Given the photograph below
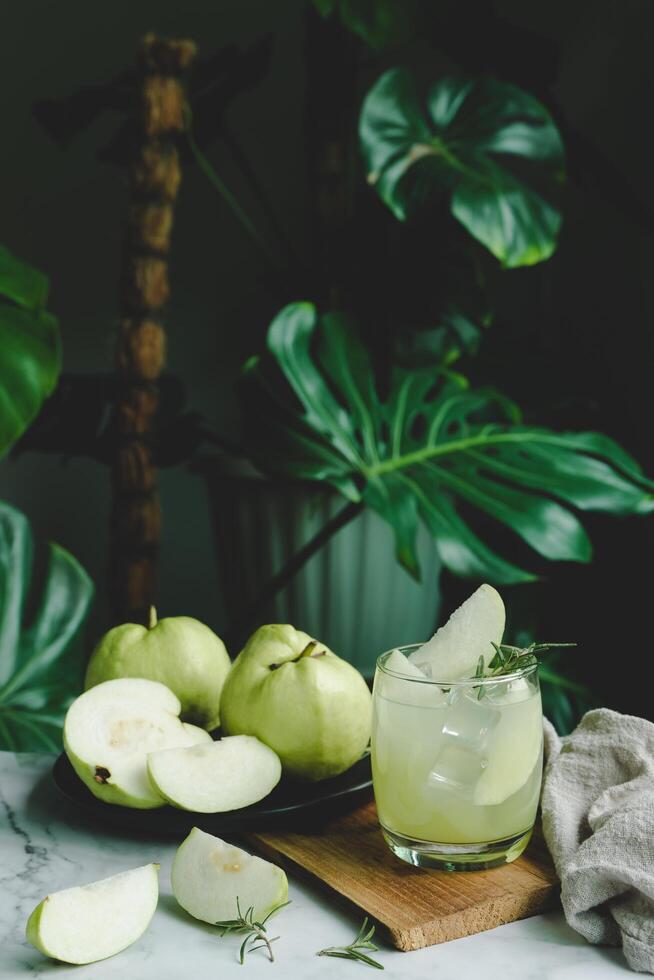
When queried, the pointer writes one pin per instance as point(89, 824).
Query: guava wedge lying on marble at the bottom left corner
point(92, 922)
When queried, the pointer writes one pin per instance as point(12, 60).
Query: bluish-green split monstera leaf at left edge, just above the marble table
point(40, 663)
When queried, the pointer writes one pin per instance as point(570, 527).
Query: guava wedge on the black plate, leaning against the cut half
point(211, 778)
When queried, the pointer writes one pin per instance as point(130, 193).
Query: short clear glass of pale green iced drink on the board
point(456, 765)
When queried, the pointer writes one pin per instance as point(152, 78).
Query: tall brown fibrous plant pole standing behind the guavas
point(155, 176)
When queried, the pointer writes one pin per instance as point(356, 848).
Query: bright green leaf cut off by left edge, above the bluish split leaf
point(29, 347)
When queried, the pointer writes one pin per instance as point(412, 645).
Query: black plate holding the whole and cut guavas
point(290, 804)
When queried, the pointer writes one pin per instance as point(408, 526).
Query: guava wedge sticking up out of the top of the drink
point(454, 651)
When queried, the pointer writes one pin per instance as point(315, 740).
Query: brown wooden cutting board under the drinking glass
point(414, 907)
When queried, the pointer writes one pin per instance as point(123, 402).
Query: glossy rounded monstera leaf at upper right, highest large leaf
point(490, 147)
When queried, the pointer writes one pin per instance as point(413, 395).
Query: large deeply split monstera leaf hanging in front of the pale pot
point(430, 445)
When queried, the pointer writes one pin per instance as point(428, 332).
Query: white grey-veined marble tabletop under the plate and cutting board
point(45, 846)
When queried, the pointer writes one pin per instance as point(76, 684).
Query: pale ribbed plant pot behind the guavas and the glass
point(352, 594)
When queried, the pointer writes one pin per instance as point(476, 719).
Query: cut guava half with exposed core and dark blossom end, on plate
point(109, 731)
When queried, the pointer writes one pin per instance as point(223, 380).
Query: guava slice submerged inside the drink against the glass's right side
point(513, 751)
